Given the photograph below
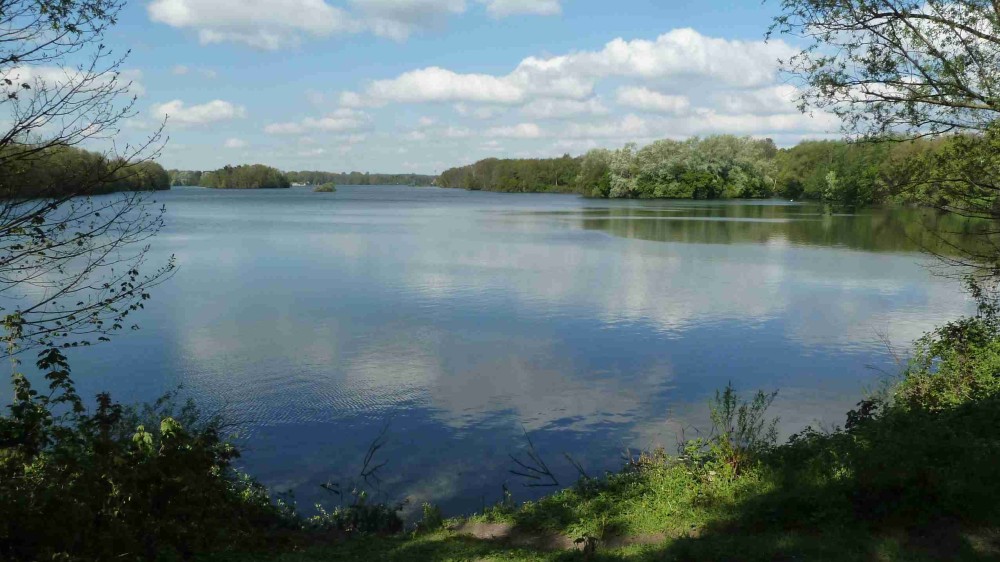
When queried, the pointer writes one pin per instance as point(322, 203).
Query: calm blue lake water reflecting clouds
point(460, 317)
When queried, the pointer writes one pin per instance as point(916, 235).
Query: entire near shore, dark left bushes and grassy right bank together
point(912, 474)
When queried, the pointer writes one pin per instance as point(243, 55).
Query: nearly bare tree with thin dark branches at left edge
point(69, 260)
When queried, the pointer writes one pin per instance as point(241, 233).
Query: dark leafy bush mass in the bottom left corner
point(151, 484)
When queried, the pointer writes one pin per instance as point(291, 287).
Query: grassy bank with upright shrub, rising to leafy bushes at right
point(912, 474)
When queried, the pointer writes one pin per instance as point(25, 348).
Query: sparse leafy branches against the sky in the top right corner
point(891, 67)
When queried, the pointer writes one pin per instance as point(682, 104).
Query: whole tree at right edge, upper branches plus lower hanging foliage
point(906, 69)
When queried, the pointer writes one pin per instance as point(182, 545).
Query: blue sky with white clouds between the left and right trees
point(423, 85)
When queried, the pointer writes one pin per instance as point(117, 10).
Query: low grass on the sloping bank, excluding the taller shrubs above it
point(823, 496)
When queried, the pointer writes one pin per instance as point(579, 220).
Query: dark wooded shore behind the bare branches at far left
point(58, 171)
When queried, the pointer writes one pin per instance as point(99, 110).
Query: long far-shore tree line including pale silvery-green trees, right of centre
point(720, 167)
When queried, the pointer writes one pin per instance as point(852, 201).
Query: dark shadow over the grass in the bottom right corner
point(900, 485)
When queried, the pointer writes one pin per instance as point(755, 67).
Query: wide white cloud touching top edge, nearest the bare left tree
point(266, 24)
